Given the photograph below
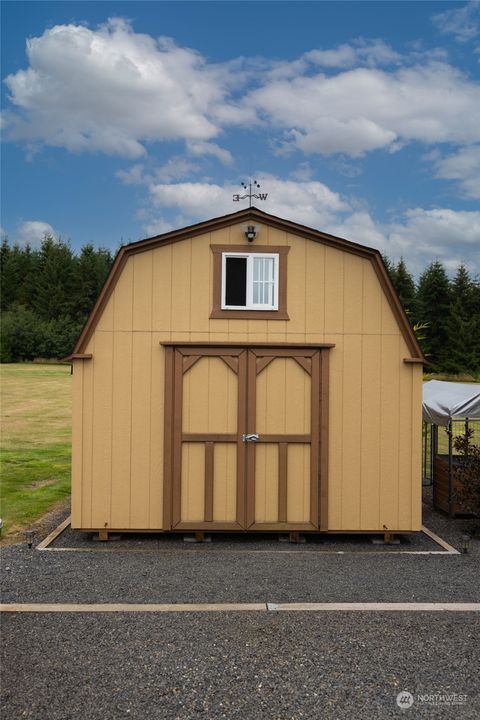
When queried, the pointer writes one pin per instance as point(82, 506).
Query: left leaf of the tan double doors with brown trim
point(208, 454)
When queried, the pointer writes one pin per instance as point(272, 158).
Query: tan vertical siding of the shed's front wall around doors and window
point(165, 294)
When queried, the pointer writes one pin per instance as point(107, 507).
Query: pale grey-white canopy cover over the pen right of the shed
point(444, 401)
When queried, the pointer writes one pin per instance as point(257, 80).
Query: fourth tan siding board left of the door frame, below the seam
point(102, 430)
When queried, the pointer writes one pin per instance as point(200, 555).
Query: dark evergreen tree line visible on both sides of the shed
point(48, 293)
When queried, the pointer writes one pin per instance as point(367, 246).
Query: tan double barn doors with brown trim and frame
point(243, 431)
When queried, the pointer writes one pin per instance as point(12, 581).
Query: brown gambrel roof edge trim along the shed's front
point(249, 214)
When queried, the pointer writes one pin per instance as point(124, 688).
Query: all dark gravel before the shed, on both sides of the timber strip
point(239, 665)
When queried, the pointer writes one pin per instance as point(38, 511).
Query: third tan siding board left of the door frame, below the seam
point(121, 429)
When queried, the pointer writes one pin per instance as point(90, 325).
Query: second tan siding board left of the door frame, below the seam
point(141, 413)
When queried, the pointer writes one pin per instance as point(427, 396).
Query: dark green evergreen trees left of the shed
point(46, 296)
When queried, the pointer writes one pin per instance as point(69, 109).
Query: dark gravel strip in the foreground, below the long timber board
point(237, 666)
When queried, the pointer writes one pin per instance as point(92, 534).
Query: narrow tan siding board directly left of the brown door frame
point(157, 384)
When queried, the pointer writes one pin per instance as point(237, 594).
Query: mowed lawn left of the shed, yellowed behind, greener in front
point(35, 440)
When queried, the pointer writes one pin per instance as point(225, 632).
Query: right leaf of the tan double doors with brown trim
point(283, 409)
